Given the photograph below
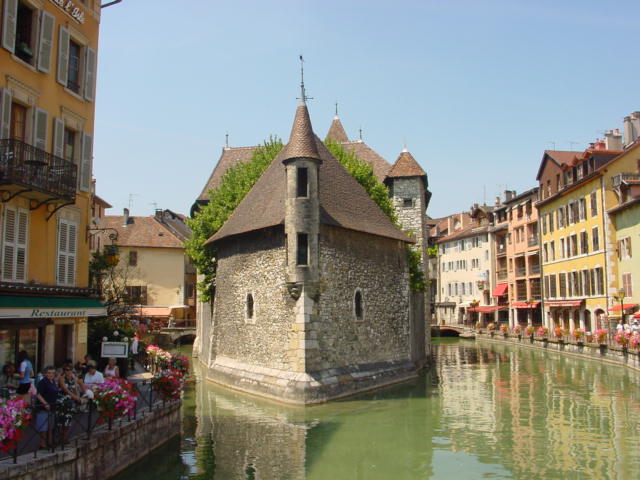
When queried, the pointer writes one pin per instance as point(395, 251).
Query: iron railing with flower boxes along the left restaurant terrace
point(84, 422)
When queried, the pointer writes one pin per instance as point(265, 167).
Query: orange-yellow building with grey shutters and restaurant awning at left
point(48, 52)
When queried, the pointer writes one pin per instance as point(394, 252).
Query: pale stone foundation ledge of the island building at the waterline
point(308, 388)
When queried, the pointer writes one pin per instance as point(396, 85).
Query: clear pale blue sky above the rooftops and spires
point(476, 90)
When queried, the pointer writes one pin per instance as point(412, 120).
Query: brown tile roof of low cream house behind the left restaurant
point(141, 232)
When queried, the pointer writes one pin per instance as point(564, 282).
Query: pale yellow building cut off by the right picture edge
point(622, 202)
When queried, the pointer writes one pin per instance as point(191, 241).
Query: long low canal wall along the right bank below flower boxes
point(604, 353)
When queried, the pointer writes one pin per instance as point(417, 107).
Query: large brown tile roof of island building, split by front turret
point(343, 202)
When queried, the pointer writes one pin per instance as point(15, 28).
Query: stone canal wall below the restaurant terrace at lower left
point(105, 454)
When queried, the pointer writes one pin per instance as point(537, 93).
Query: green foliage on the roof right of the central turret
point(363, 173)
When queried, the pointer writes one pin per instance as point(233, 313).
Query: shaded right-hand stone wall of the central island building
point(377, 266)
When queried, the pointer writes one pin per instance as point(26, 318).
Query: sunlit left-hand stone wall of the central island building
point(255, 264)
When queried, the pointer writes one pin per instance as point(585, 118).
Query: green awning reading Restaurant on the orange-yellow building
point(50, 307)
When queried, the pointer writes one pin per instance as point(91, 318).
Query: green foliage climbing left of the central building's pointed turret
point(235, 184)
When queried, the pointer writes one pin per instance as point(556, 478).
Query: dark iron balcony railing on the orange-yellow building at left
point(30, 167)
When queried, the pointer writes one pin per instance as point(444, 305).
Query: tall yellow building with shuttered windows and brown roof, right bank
point(573, 226)
